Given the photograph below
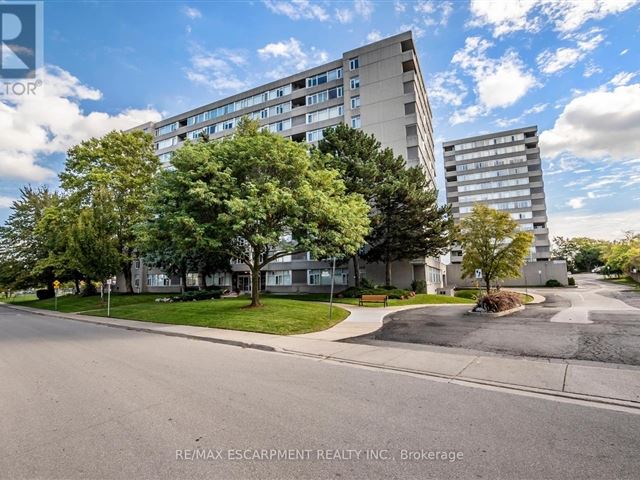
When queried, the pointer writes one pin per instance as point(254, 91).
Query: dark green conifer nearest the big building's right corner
point(407, 222)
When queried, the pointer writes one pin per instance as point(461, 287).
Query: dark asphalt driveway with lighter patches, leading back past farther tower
point(598, 321)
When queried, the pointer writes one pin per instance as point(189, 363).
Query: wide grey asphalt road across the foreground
point(86, 401)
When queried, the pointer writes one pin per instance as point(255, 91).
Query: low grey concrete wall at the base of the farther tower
point(533, 274)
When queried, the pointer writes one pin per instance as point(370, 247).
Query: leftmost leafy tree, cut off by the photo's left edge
point(22, 244)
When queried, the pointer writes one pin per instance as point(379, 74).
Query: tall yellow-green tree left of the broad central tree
point(121, 167)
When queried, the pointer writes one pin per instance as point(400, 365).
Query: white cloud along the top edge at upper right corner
point(506, 16)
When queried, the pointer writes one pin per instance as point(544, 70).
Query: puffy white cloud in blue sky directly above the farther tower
point(499, 83)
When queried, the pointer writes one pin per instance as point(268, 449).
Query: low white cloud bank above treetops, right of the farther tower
point(607, 225)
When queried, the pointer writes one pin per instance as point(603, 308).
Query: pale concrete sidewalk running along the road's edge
point(603, 383)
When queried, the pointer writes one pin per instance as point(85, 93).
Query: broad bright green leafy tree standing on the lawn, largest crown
point(258, 197)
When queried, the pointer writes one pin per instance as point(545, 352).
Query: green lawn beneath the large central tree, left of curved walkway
point(279, 315)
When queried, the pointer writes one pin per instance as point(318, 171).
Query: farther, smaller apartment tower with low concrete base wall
point(504, 171)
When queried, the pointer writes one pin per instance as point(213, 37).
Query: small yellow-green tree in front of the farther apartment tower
point(492, 242)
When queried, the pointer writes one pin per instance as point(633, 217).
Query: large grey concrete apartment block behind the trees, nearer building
point(378, 88)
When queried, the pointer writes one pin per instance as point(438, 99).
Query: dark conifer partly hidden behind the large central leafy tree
point(355, 155)
